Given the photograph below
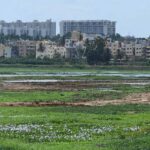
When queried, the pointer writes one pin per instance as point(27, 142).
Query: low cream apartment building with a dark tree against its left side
point(48, 49)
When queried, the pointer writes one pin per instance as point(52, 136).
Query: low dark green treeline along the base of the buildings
point(62, 61)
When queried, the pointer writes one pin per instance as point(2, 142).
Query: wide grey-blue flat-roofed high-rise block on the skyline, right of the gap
point(100, 27)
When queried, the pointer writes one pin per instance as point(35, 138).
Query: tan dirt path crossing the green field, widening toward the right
point(143, 98)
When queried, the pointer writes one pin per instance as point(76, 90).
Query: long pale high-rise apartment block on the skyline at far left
point(33, 29)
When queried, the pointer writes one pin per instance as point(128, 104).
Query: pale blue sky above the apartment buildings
point(132, 16)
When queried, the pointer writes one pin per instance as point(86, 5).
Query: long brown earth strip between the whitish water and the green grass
point(66, 85)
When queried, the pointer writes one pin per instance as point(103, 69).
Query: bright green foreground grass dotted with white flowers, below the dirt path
point(68, 121)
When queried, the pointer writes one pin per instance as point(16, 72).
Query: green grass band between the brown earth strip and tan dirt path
point(119, 92)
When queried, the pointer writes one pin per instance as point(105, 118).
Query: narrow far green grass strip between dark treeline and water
point(10, 69)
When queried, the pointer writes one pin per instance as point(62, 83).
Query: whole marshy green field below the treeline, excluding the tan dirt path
point(110, 127)
